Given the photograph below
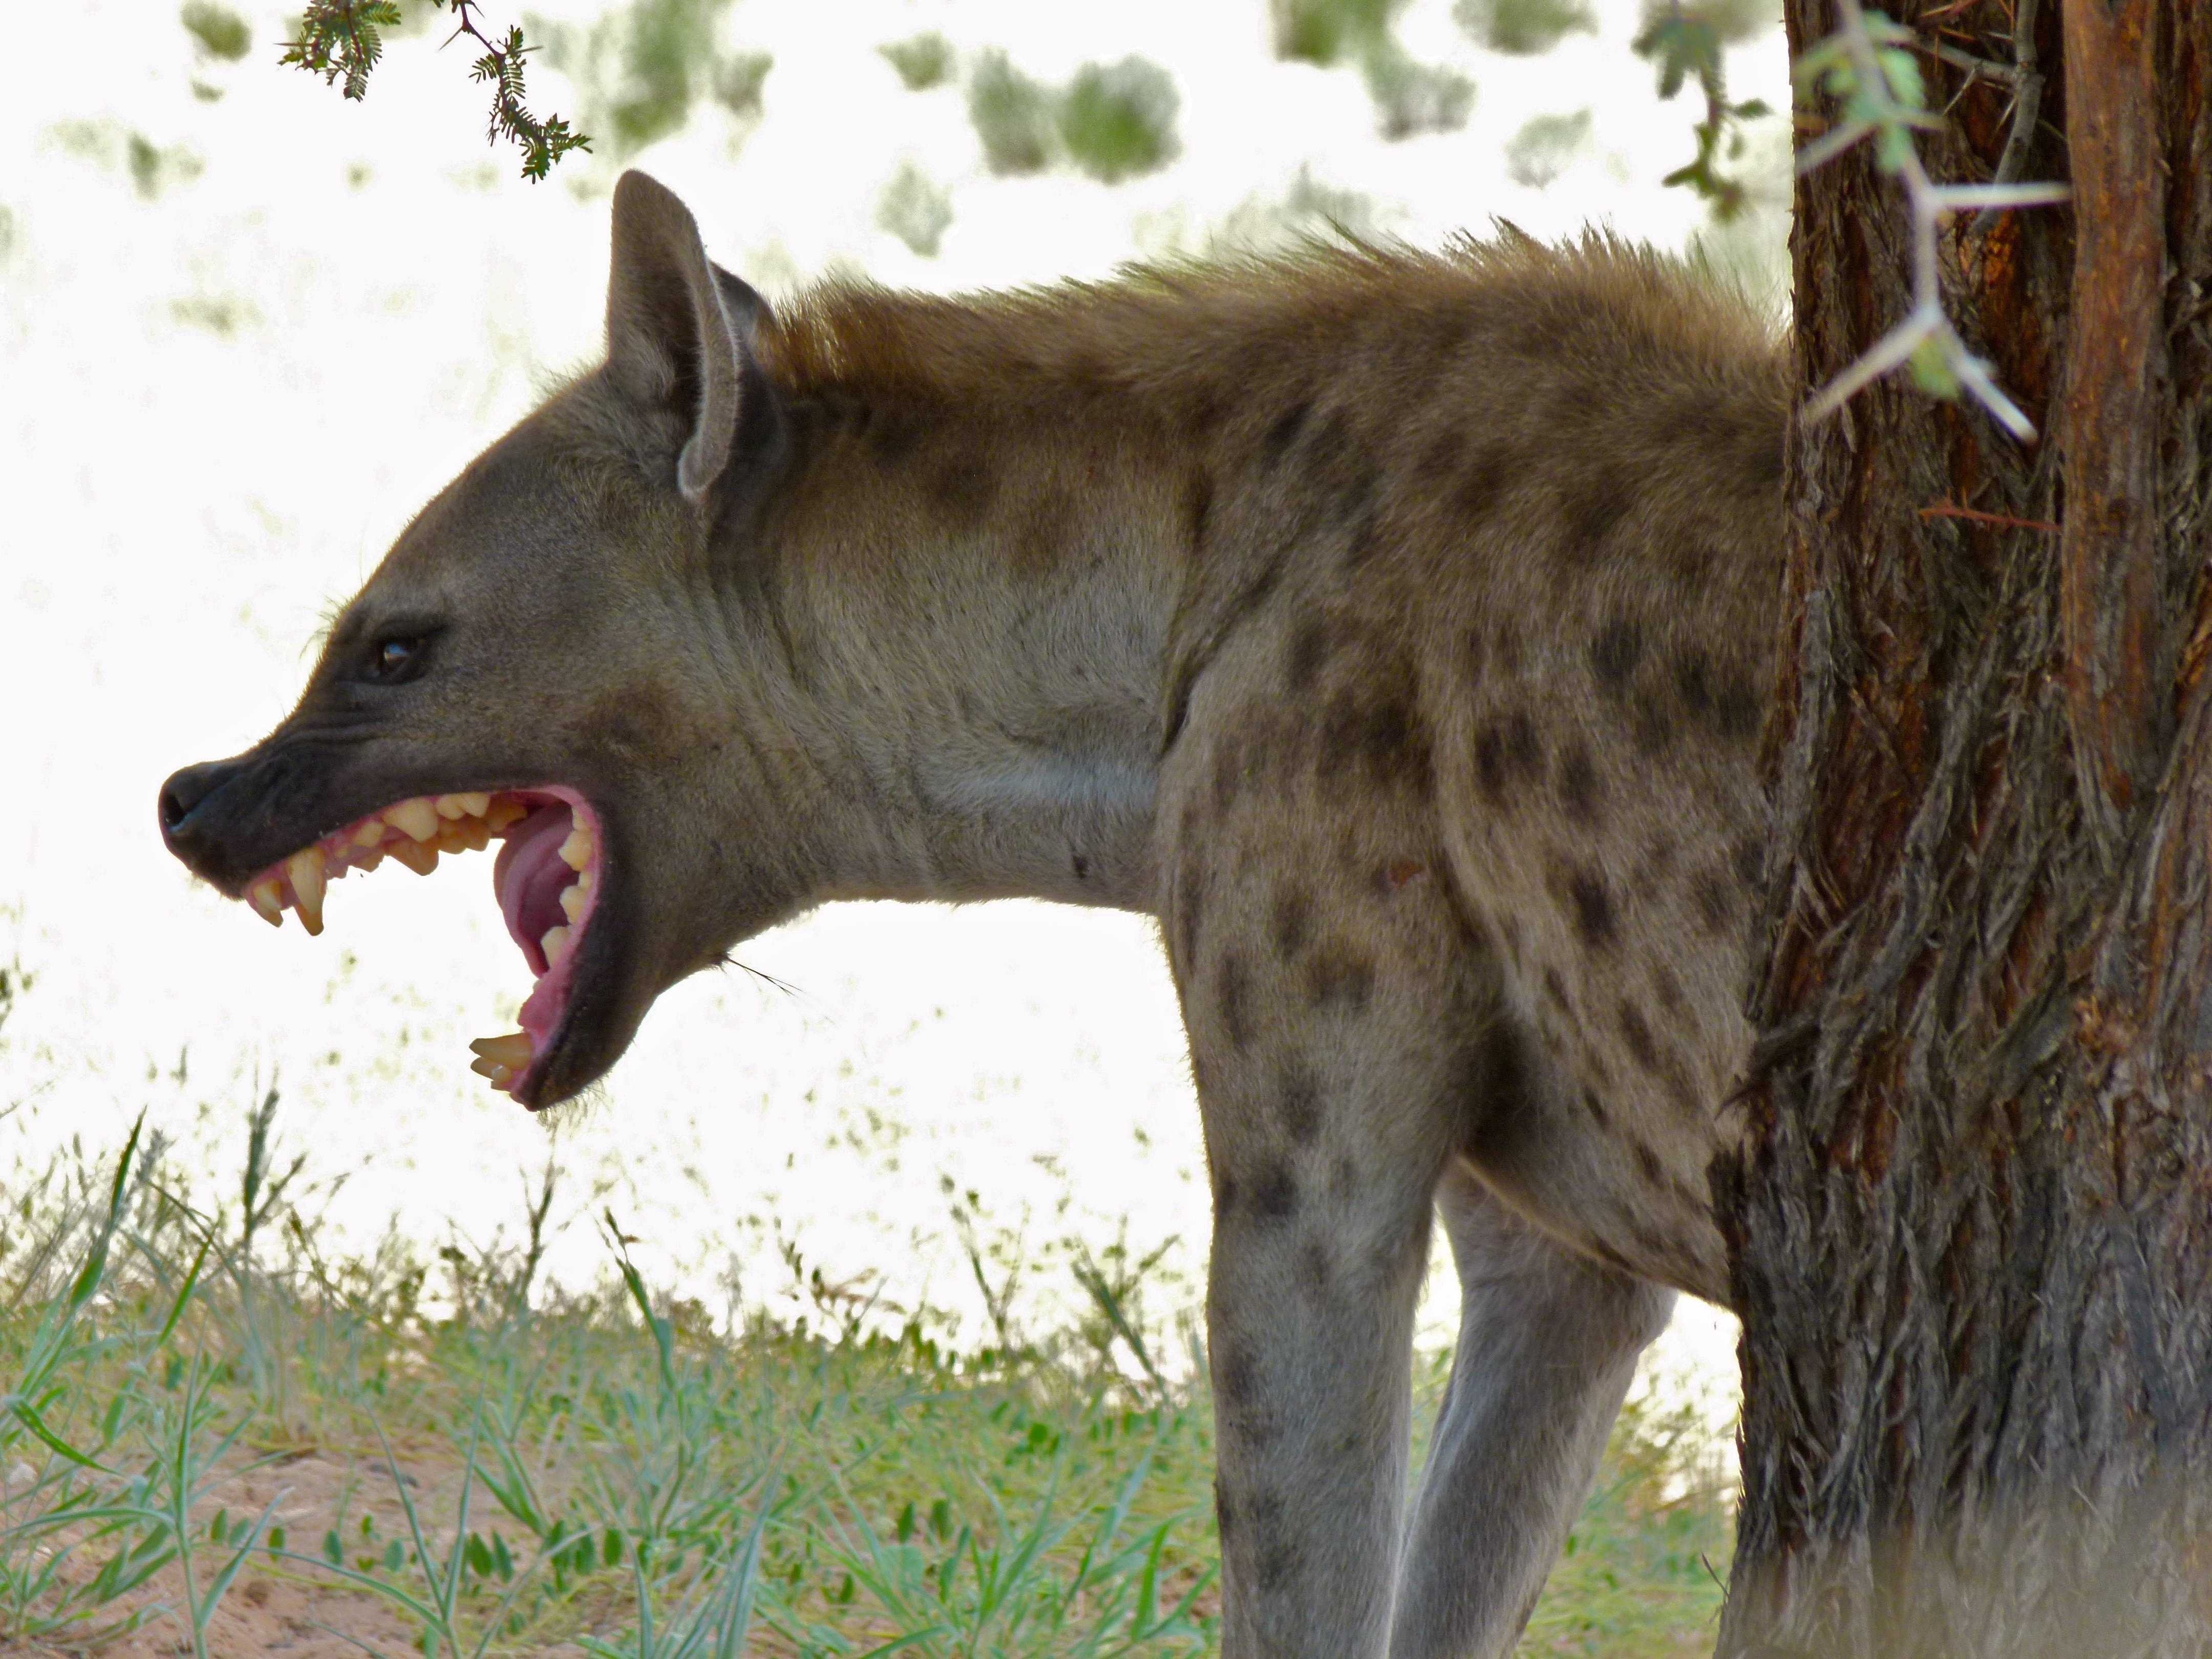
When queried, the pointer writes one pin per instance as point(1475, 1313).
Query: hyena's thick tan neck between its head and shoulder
point(974, 614)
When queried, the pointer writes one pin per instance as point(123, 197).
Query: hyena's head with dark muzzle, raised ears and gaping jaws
point(543, 658)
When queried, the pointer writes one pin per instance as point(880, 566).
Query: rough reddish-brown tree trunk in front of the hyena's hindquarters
point(1972, 1231)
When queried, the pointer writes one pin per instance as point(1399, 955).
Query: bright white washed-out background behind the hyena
point(182, 505)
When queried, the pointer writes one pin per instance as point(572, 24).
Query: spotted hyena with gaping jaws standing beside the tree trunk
point(1392, 627)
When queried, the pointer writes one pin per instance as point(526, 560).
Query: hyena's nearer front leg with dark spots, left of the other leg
point(1333, 1005)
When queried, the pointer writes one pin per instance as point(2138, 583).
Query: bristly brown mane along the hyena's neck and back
point(1200, 328)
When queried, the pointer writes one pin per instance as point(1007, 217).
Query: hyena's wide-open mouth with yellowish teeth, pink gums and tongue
point(547, 879)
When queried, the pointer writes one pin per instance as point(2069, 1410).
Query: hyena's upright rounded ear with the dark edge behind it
point(671, 340)
